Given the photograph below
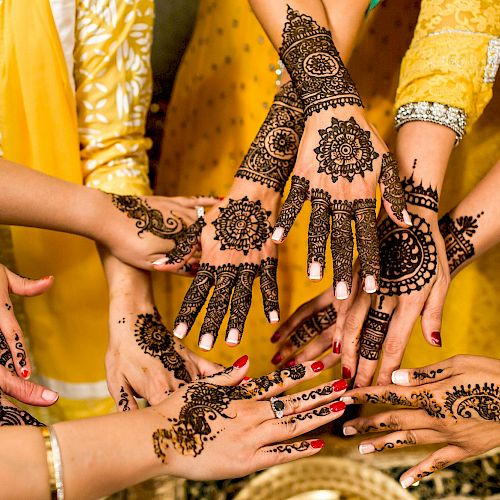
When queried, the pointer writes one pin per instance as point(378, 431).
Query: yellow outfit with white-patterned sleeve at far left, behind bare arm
point(92, 134)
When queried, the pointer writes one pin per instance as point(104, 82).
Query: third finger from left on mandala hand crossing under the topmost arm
point(241, 302)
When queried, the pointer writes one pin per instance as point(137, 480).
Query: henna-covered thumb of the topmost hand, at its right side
point(392, 192)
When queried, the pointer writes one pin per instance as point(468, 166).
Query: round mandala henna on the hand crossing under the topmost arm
point(242, 225)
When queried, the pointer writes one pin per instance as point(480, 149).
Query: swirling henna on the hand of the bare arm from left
point(148, 219)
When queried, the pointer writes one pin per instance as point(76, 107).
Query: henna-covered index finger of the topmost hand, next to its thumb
point(367, 243)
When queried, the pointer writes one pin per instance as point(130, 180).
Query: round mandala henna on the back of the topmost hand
point(345, 150)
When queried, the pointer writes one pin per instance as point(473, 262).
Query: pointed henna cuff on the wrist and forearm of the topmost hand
point(315, 66)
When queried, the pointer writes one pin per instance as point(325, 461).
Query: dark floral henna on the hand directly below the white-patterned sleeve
point(155, 340)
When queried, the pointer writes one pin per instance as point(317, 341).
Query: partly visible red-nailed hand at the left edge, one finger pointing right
point(12, 344)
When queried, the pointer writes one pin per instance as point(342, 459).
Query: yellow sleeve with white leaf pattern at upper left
point(113, 92)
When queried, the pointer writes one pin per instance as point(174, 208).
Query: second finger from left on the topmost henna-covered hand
point(319, 230)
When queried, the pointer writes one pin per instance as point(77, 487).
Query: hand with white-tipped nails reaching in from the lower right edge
point(455, 402)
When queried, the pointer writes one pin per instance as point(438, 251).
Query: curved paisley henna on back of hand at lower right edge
point(474, 401)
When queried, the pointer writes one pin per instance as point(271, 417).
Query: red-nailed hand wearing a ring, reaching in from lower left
point(215, 428)
